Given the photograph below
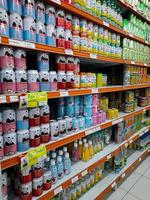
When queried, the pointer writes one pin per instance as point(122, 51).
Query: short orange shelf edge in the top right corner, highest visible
point(130, 8)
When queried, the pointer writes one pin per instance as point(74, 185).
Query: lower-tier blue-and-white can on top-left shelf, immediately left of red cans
point(50, 35)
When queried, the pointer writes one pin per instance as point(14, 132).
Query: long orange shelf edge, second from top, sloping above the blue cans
point(81, 13)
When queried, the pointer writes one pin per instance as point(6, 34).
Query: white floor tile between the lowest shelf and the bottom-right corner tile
point(130, 181)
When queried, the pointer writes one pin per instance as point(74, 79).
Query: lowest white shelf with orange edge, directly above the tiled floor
point(101, 189)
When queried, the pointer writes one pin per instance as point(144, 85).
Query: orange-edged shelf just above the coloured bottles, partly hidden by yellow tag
point(15, 159)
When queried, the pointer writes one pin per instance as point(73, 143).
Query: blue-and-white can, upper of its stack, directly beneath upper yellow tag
point(22, 119)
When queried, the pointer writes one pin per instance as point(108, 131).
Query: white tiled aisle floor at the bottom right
point(136, 186)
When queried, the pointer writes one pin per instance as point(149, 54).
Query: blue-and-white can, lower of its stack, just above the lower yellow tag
point(23, 143)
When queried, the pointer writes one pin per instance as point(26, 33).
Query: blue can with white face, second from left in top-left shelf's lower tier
point(16, 26)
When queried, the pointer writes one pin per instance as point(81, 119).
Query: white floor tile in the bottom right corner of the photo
point(141, 189)
